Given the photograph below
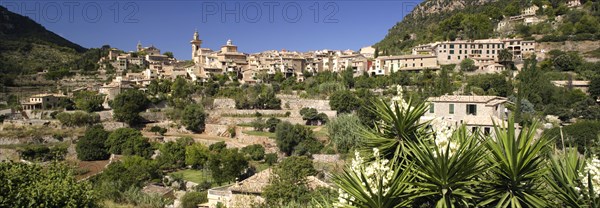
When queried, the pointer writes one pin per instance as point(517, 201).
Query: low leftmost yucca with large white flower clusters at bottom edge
point(376, 184)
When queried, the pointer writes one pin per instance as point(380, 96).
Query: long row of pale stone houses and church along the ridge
point(252, 68)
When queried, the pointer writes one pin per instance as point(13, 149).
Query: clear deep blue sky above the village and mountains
point(254, 26)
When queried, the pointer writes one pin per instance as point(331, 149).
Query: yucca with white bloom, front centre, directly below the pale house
point(447, 171)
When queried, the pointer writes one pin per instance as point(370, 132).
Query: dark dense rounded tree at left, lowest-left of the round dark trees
point(91, 146)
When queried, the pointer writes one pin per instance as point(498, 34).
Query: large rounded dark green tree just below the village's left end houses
point(127, 106)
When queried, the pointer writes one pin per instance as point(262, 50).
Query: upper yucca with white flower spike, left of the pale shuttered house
point(399, 124)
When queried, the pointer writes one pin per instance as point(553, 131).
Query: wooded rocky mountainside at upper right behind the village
point(440, 20)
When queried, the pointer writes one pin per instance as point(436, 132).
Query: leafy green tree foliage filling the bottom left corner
point(51, 185)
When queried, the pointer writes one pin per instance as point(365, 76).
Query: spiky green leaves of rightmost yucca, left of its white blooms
point(563, 178)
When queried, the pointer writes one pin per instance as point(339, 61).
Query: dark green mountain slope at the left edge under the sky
point(27, 47)
